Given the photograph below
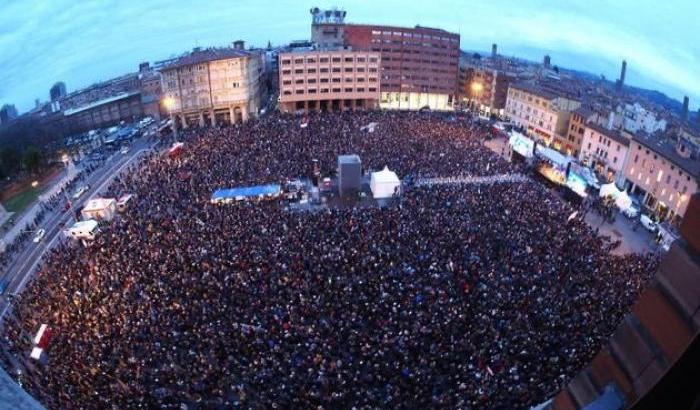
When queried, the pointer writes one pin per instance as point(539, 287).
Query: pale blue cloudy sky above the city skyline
point(86, 41)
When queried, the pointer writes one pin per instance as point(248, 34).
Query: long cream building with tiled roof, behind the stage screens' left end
point(542, 113)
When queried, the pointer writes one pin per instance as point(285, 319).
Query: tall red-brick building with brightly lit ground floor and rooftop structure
point(419, 66)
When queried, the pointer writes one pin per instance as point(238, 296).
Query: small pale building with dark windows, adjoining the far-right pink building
point(606, 151)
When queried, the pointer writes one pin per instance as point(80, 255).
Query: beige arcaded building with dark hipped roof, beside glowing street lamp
point(213, 86)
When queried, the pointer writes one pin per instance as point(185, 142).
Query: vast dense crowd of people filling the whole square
point(454, 296)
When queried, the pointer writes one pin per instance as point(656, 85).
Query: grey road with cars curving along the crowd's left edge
point(20, 271)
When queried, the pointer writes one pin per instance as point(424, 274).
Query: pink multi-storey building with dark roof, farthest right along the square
point(663, 174)
